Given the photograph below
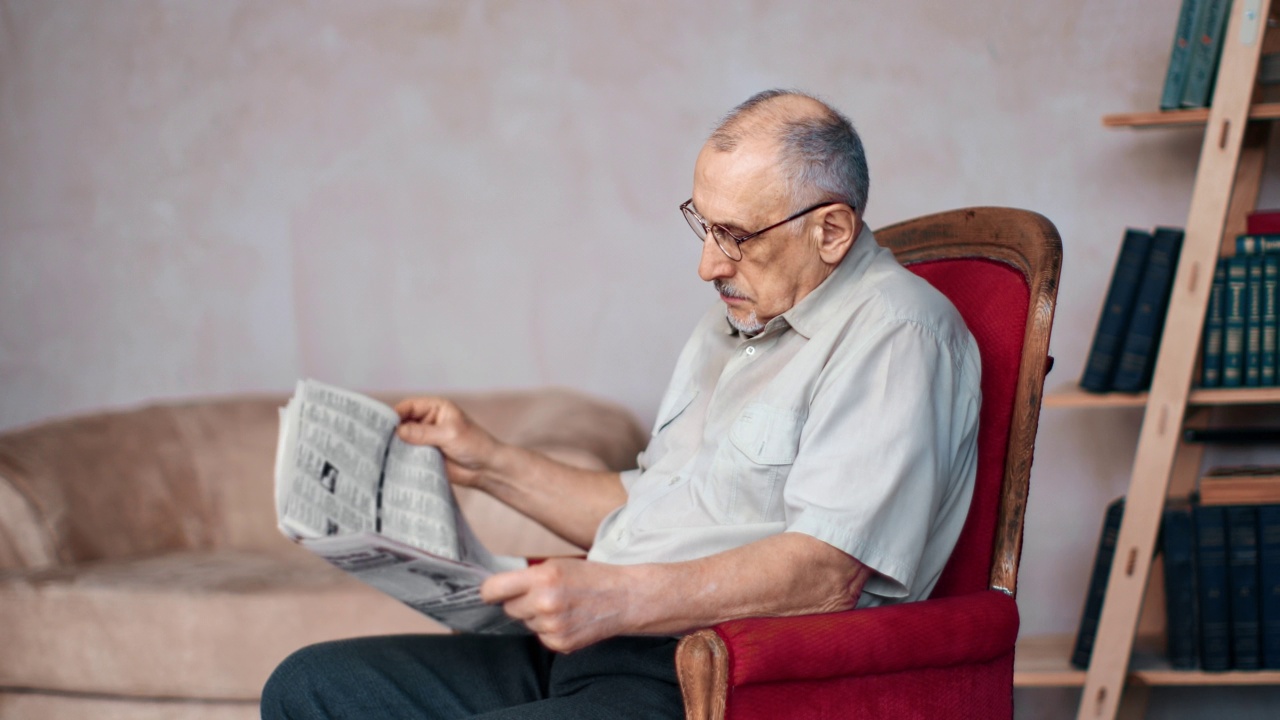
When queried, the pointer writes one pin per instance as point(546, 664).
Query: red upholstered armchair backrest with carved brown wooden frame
point(1000, 268)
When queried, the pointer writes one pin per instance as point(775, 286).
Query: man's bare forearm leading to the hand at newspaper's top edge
point(570, 502)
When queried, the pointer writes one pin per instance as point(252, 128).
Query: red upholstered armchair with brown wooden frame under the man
point(952, 655)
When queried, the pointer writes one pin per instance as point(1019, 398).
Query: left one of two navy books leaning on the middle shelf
point(1117, 311)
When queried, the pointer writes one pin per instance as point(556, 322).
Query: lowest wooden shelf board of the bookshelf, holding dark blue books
point(1041, 662)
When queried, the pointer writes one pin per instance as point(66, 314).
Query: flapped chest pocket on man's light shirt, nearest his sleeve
point(751, 468)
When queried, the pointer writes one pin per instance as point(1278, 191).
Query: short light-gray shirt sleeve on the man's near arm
point(888, 422)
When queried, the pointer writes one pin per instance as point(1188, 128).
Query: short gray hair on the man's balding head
point(821, 154)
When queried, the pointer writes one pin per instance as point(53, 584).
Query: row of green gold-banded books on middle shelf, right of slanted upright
point(1241, 325)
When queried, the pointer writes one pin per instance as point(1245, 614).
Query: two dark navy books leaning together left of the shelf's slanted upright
point(1123, 354)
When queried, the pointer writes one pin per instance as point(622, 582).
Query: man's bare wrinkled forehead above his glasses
point(739, 186)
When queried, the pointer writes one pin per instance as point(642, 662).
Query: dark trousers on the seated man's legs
point(438, 677)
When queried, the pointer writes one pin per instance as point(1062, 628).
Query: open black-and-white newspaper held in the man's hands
point(349, 490)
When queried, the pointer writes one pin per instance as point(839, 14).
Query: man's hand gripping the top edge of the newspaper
point(469, 449)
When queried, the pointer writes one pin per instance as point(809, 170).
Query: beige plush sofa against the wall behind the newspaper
point(141, 573)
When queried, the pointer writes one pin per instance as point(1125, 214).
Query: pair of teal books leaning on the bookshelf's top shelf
point(1194, 60)
